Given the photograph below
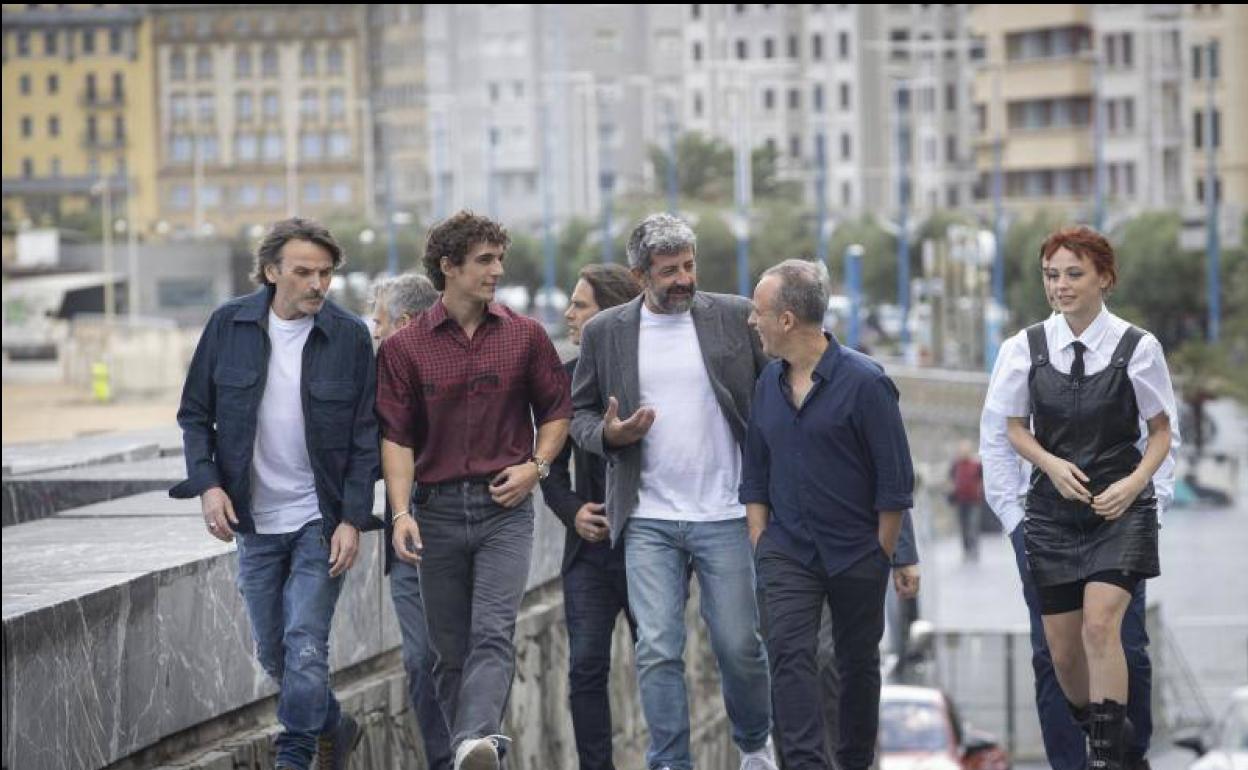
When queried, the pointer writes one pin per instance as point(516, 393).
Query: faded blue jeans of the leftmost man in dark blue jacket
point(285, 582)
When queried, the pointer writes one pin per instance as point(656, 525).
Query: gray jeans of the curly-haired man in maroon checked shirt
point(475, 566)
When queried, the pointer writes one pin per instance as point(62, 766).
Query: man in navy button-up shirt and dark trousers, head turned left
point(827, 480)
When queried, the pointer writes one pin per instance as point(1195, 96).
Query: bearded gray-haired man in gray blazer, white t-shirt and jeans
point(663, 392)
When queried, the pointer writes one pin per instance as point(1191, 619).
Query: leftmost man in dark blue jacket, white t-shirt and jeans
point(283, 450)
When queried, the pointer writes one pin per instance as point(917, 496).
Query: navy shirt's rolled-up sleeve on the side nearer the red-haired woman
point(885, 435)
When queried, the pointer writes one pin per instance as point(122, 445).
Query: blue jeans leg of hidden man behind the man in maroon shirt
point(419, 663)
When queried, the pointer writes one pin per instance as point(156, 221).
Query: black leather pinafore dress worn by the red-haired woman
point(1093, 422)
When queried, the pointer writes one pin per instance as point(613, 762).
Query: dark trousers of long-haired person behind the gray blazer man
point(593, 598)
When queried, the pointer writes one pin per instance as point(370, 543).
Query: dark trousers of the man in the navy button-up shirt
point(796, 596)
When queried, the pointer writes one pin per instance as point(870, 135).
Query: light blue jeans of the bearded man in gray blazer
point(660, 556)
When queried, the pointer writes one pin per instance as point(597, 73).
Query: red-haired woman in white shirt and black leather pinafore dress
point(1090, 405)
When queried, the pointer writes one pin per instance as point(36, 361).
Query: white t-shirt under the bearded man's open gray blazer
point(691, 464)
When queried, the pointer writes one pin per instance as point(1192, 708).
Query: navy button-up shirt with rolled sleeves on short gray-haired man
point(828, 469)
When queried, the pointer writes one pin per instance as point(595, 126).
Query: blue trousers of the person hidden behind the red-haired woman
point(1065, 743)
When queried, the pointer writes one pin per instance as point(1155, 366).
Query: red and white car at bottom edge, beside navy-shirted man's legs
point(920, 731)
